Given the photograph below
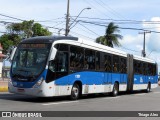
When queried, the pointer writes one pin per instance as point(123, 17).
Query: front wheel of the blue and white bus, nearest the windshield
point(75, 92)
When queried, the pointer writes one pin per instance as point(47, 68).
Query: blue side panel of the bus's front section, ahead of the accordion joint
point(90, 78)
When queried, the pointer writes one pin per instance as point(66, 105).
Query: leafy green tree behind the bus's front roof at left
point(19, 31)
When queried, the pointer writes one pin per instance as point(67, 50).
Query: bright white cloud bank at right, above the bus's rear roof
point(135, 42)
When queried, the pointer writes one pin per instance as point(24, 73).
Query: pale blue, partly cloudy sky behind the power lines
point(132, 16)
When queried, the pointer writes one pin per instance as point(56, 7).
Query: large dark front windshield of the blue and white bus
point(29, 61)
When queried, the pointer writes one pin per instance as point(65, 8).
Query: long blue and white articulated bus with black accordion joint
point(70, 66)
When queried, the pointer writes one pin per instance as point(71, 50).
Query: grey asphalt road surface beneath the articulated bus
point(138, 101)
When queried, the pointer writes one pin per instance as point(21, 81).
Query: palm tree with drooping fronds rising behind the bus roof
point(111, 37)
